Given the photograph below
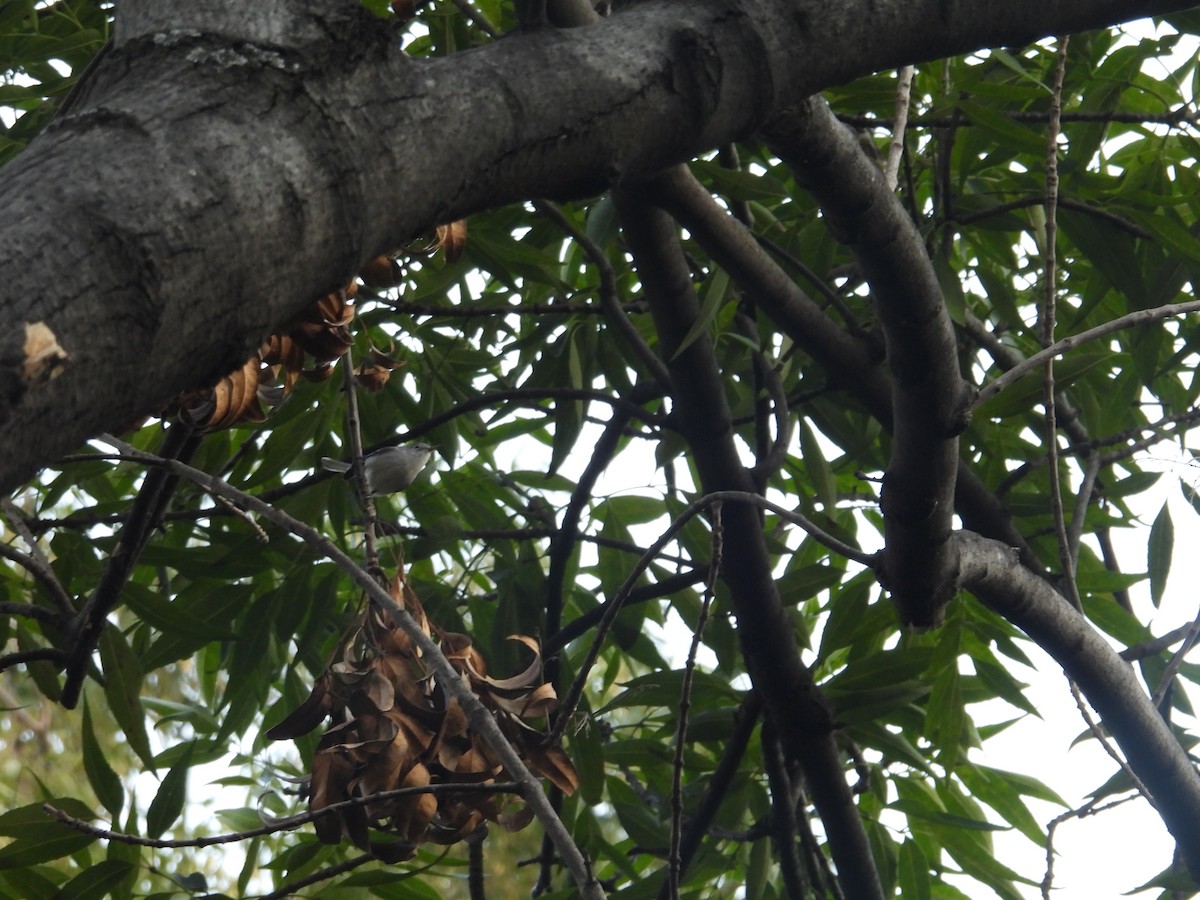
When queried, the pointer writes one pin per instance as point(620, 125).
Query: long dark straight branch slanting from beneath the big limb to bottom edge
point(769, 640)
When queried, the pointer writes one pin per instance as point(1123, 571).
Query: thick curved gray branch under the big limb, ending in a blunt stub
point(929, 398)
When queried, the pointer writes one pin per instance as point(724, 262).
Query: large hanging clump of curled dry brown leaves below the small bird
point(394, 725)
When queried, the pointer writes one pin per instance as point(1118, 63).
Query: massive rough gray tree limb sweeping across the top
point(225, 169)
